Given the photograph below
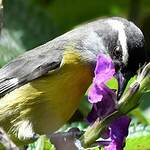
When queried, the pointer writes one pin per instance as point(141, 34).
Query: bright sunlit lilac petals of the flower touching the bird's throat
point(104, 71)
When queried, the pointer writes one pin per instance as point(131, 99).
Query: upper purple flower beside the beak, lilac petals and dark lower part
point(103, 99)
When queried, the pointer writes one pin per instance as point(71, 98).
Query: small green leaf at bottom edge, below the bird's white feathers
point(41, 144)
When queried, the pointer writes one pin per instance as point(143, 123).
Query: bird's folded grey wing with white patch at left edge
point(29, 66)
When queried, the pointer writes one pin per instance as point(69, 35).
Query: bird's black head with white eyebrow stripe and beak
point(124, 42)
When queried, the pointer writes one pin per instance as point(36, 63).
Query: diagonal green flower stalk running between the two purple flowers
point(129, 100)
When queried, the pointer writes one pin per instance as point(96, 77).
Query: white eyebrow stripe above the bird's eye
point(119, 26)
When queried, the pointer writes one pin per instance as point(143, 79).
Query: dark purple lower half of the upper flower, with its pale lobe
point(102, 106)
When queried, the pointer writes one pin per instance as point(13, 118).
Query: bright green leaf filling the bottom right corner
point(139, 138)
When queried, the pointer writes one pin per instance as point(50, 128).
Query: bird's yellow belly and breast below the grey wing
point(47, 102)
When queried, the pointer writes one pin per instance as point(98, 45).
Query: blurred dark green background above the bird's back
point(30, 23)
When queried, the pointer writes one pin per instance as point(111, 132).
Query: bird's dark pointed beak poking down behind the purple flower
point(122, 82)
